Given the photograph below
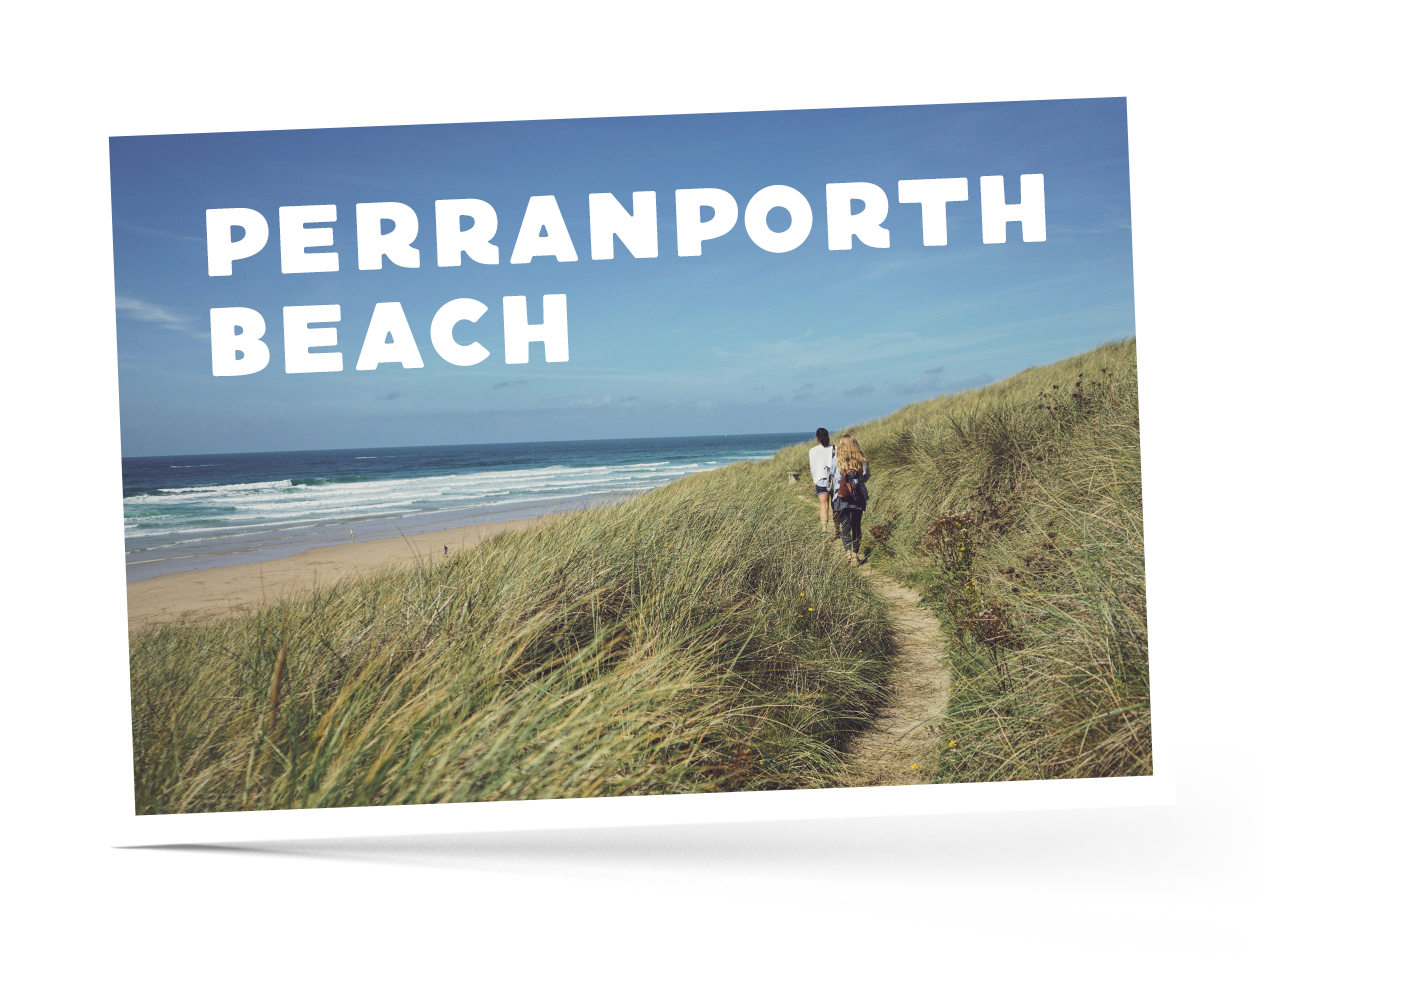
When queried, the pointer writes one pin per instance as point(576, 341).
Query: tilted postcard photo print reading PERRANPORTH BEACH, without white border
point(609, 457)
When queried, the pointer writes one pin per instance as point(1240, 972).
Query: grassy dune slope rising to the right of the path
point(1018, 511)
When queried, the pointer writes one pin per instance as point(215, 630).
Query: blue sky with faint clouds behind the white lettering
point(738, 340)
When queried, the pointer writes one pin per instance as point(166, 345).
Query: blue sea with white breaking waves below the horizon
point(199, 512)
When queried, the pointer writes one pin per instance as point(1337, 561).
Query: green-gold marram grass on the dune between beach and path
point(698, 637)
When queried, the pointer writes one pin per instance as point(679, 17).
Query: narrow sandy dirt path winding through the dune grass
point(921, 691)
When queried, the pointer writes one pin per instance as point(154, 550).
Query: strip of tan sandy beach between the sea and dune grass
point(226, 589)
